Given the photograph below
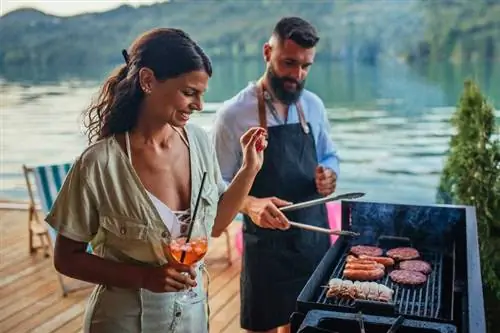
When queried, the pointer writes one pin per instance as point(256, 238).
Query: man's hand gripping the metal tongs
point(264, 212)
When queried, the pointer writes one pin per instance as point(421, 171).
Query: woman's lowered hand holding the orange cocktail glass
point(168, 278)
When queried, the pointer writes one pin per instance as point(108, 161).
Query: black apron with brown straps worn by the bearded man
point(277, 264)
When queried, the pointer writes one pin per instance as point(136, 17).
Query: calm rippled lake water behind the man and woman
point(389, 123)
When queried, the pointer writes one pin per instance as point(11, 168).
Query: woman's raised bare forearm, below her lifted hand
point(233, 200)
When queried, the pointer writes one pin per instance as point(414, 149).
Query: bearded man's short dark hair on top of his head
point(298, 30)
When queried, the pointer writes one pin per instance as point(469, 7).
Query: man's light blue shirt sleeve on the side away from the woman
point(327, 154)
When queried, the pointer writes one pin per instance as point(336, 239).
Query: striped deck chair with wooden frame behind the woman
point(48, 182)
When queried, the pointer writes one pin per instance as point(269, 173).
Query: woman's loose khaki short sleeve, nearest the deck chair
point(74, 212)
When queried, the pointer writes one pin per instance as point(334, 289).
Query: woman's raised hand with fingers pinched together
point(253, 143)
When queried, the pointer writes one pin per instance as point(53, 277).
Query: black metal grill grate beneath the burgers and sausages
point(421, 301)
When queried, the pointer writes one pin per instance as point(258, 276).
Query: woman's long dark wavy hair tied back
point(169, 53)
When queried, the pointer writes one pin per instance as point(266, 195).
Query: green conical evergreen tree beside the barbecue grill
point(471, 176)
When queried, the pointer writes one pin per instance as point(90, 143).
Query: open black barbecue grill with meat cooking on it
point(451, 300)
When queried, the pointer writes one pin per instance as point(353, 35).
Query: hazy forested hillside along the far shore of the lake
point(364, 30)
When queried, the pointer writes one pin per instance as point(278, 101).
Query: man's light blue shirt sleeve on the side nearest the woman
point(227, 147)
